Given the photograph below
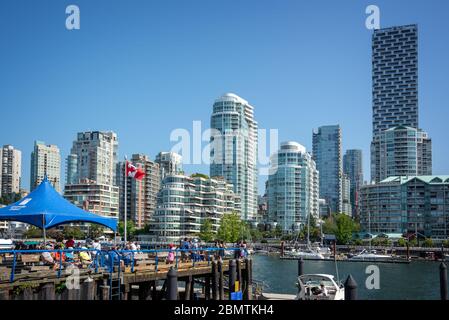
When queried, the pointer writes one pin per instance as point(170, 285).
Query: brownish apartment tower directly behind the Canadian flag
point(141, 194)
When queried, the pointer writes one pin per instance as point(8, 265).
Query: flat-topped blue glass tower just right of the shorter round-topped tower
point(328, 158)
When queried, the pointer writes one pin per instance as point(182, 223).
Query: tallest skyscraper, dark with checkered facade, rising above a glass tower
point(395, 77)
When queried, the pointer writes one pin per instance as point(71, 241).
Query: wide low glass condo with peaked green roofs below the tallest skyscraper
point(410, 205)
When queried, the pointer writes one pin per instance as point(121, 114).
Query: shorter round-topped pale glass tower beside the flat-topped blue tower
point(292, 188)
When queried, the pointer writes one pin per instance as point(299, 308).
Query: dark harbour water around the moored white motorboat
point(417, 280)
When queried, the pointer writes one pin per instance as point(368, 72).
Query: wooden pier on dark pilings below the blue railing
point(205, 280)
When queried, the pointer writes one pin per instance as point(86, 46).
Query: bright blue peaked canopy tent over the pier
point(45, 208)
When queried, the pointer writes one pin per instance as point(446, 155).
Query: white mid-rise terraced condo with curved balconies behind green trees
point(184, 202)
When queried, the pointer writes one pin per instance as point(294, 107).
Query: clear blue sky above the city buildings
point(144, 68)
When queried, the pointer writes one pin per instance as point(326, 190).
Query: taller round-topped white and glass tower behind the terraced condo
point(234, 149)
